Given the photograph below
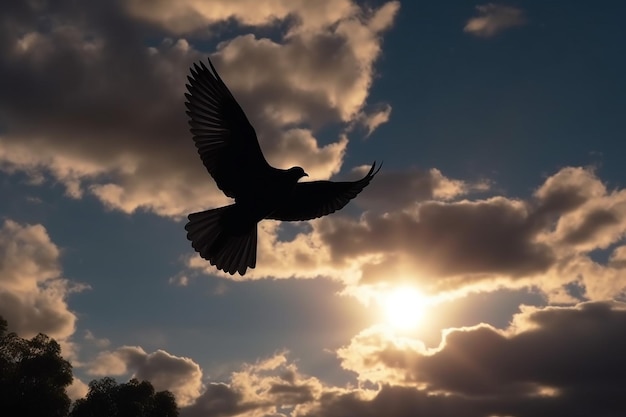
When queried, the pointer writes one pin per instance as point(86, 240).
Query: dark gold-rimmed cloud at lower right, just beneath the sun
point(482, 360)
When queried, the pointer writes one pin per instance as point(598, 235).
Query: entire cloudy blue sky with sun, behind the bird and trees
point(481, 273)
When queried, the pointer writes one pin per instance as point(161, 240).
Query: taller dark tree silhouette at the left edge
point(33, 376)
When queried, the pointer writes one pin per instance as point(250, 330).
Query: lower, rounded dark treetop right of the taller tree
point(133, 399)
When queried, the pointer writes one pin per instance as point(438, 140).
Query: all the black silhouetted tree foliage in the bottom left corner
point(34, 376)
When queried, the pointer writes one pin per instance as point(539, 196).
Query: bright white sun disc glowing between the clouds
point(403, 307)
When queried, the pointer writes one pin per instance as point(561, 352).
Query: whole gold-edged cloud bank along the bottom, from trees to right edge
point(549, 361)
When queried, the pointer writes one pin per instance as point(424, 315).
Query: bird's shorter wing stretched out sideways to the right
point(314, 199)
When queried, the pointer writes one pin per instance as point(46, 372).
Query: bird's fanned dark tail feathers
point(215, 241)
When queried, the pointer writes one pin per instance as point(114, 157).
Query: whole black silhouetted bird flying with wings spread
point(230, 151)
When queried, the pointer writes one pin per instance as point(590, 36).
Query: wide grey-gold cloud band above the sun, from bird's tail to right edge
point(417, 230)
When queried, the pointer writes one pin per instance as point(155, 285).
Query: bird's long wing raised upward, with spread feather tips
point(225, 139)
